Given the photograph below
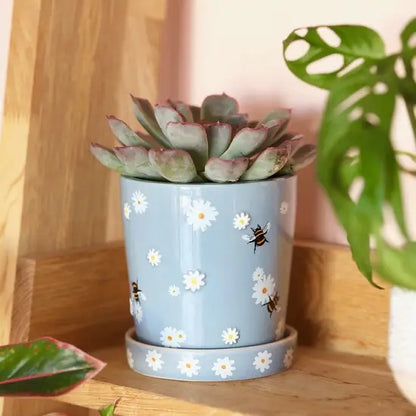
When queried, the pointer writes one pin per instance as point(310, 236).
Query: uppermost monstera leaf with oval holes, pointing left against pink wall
point(355, 42)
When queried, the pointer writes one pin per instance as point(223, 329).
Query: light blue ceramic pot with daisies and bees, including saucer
point(209, 267)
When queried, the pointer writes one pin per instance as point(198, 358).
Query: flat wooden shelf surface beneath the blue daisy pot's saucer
point(320, 383)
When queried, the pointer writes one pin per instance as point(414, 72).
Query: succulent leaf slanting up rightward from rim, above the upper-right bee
point(268, 162)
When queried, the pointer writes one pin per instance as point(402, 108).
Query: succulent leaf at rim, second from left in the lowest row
point(136, 162)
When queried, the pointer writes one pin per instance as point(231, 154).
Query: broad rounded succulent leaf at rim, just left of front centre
point(175, 165)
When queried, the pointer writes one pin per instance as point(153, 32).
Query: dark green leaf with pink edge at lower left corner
point(44, 367)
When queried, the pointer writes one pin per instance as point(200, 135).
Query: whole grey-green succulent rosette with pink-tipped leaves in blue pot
point(211, 143)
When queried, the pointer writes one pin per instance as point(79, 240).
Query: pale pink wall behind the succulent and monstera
point(235, 46)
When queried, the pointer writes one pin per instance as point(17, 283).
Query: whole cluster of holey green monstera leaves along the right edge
point(354, 140)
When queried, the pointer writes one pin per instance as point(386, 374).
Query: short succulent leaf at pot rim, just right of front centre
point(220, 170)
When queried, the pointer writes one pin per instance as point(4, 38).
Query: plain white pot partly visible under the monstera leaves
point(402, 341)
